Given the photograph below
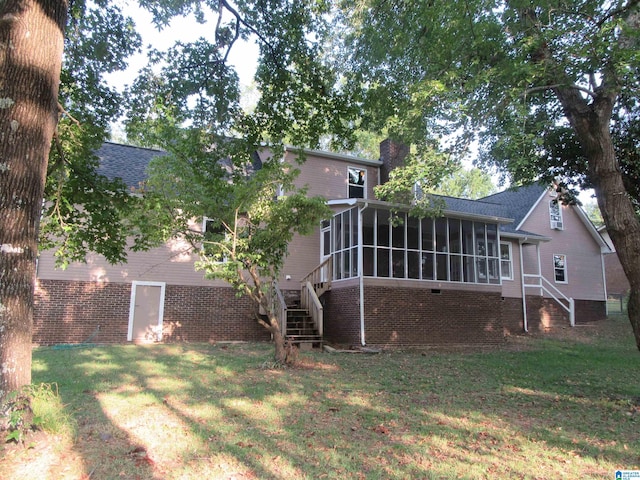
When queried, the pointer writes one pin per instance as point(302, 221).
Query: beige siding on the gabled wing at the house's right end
point(584, 263)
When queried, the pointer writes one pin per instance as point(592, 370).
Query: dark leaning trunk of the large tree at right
point(592, 123)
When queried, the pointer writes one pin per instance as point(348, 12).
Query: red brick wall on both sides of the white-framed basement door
point(70, 312)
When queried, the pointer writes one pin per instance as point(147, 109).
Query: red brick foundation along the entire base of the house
point(75, 312)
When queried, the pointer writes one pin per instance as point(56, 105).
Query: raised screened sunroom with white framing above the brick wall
point(453, 248)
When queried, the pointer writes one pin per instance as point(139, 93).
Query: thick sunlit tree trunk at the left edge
point(31, 44)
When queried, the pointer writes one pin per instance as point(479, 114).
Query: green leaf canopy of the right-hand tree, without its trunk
point(487, 71)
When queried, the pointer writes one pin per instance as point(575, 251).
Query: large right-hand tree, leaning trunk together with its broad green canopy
point(528, 81)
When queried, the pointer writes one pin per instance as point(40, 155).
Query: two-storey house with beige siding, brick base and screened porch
point(511, 262)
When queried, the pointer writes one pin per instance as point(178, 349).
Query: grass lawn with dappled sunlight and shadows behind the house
point(560, 406)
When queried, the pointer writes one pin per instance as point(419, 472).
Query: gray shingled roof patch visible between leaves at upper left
point(126, 162)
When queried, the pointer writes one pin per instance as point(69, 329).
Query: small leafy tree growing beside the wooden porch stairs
point(249, 226)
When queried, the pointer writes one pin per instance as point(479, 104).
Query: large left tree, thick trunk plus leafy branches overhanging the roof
point(192, 85)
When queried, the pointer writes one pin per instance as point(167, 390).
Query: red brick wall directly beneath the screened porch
point(411, 316)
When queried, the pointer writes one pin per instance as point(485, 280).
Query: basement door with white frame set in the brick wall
point(146, 312)
